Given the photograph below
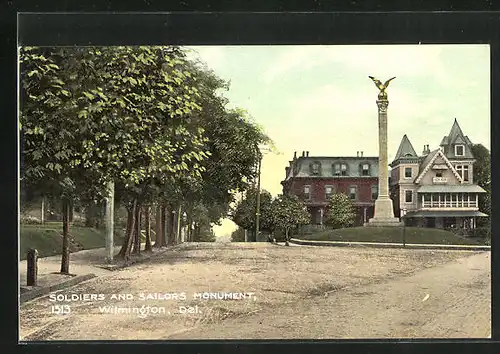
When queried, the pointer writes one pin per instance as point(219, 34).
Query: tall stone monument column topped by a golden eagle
point(384, 212)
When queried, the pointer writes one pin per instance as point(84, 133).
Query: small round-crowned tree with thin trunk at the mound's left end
point(288, 213)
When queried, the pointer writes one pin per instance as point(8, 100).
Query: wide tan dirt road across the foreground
point(299, 292)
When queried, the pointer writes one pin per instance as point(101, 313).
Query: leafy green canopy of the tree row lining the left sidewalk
point(144, 117)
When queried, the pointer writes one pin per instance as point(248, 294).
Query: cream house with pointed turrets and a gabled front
point(437, 188)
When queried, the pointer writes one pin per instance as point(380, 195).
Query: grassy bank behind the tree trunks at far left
point(47, 239)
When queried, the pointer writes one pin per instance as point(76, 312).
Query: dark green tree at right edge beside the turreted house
point(482, 177)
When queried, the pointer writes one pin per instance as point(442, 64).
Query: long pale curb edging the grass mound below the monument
point(390, 245)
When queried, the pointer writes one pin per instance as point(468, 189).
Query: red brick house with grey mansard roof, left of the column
point(315, 178)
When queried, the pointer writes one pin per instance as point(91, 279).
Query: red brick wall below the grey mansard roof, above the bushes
point(341, 185)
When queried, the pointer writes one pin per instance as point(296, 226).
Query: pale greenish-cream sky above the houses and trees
point(320, 99)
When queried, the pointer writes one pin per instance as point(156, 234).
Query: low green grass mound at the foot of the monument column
point(417, 235)
